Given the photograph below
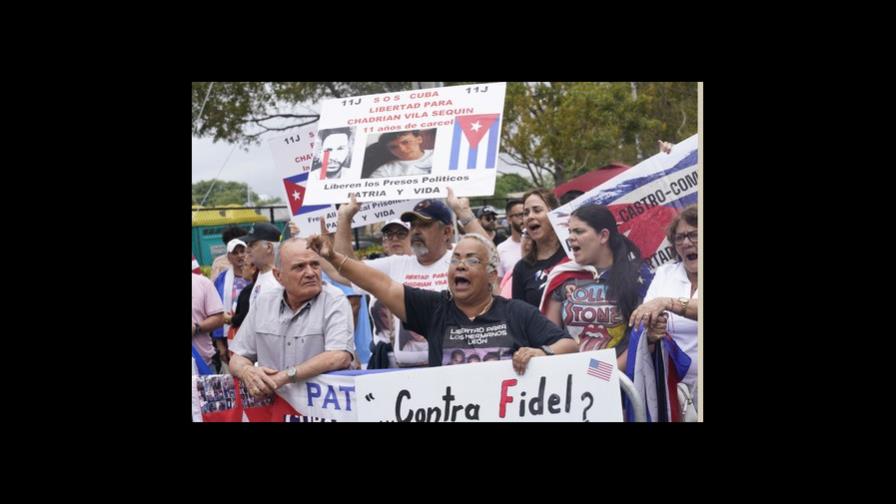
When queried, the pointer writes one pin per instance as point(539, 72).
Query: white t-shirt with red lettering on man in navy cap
point(406, 269)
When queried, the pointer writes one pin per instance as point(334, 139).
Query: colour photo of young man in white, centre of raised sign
point(399, 153)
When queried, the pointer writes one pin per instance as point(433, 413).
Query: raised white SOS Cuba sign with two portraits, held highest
point(408, 145)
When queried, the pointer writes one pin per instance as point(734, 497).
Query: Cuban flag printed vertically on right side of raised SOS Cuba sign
point(474, 143)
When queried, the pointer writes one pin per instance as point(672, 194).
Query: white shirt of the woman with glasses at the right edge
point(671, 280)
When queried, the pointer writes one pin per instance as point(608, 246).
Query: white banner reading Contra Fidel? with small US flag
point(571, 387)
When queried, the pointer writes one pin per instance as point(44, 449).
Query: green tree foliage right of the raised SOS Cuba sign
point(558, 130)
